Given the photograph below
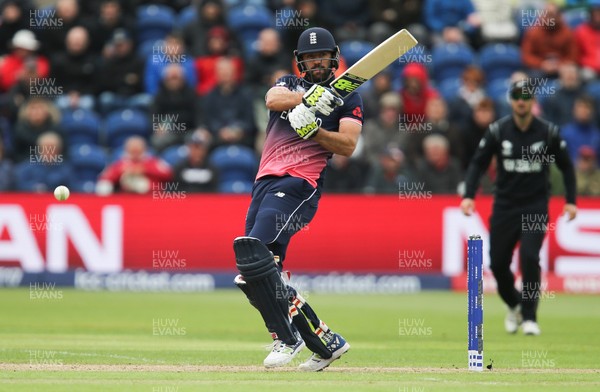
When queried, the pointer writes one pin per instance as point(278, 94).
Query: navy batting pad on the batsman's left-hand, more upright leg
point(263, 286)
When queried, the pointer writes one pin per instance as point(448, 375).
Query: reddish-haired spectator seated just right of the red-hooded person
point(468, 96)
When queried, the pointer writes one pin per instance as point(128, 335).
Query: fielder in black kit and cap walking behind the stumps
point(525, 146)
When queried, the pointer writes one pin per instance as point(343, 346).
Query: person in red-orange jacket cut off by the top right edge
point(587, 36)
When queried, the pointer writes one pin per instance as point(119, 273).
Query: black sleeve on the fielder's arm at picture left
point(481, 160)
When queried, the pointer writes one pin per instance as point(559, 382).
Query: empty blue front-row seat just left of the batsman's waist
point(235, 163)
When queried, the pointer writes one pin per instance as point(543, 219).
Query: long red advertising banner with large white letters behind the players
point(350, 233)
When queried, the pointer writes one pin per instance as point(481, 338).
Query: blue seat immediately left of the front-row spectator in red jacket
point(87, 160)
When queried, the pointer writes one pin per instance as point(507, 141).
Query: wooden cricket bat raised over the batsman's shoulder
point(373, 62)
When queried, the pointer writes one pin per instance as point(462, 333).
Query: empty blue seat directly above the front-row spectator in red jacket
point(122, 124)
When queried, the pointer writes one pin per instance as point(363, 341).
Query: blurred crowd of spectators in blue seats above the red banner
point(111, 96)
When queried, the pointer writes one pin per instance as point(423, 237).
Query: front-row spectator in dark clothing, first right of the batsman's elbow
point(389, 175)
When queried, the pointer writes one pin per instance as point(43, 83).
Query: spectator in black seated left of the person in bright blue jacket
point(121, 75)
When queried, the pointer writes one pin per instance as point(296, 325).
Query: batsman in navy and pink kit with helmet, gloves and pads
point(307, 125)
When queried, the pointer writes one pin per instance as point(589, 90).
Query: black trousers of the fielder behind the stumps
point(511, 223)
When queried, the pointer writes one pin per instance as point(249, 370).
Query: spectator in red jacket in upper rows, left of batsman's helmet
point(219, 46)
